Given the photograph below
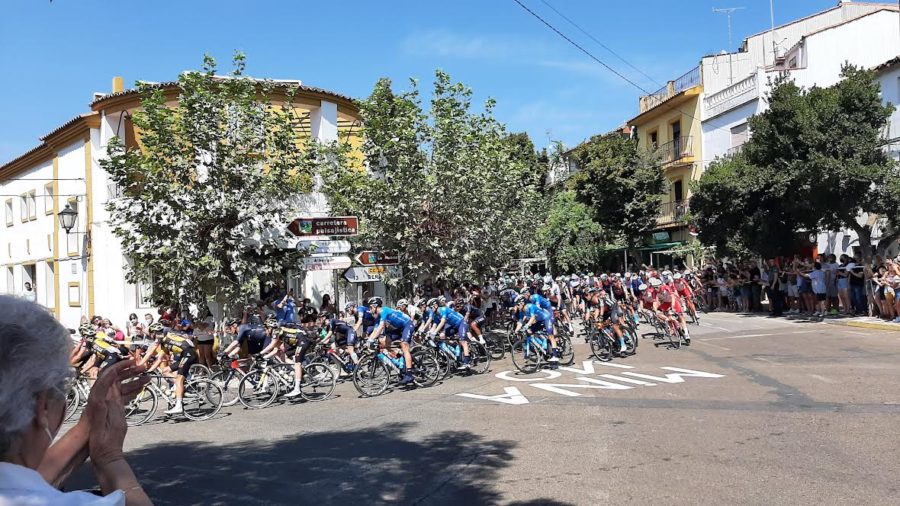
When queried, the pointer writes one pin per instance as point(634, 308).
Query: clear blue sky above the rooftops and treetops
point(56, 53)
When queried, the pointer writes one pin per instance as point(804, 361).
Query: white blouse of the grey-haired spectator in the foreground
point(21, 486)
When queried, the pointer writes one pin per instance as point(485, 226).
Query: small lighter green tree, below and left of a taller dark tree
point(570, 236)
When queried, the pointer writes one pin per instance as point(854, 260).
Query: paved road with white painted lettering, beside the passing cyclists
point(756, 411)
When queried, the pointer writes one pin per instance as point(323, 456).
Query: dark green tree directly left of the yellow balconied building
point(622, 184)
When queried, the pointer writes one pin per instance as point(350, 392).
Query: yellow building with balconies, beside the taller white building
point(669, 124)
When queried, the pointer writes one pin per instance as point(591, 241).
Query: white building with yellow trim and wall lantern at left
point(82, 273)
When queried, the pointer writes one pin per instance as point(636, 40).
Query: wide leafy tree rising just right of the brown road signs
point(446, 187)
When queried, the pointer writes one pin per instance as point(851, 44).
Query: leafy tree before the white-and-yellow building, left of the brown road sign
point(208, 192)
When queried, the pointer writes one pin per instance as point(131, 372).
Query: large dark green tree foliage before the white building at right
point(814, 162)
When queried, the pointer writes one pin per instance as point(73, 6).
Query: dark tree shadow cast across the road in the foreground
point(370, 466)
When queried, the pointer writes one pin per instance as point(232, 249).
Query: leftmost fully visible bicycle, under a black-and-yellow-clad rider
point(202, 400)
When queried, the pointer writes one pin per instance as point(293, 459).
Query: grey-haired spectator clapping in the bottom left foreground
point(34, 377)
